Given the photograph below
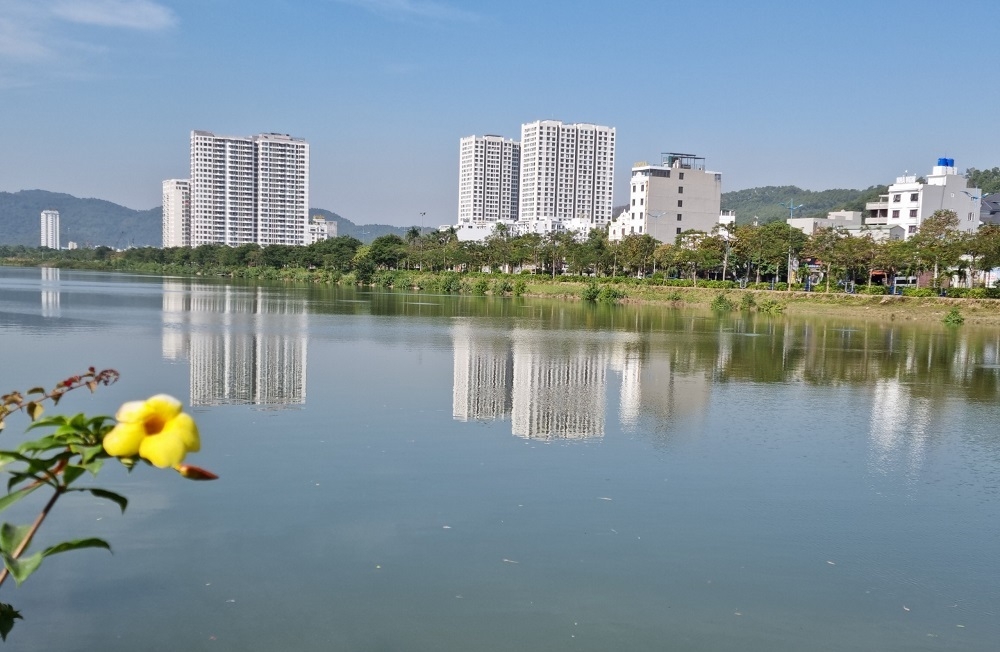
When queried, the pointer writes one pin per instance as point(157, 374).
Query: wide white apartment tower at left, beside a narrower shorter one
point(249, 190)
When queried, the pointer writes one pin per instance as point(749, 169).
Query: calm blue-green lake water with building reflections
point(412, 472)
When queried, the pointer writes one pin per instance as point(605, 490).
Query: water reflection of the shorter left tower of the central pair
point(484, 375)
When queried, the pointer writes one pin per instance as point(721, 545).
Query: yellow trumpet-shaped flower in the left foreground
point(155, 429)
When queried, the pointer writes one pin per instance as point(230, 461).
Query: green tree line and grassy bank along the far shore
point(836, 271)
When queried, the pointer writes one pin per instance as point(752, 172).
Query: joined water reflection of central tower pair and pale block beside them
point(554, 385)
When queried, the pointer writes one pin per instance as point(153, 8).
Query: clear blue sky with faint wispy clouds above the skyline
point(98, 97)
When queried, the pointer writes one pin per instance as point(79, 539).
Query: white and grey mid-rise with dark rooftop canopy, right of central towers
point(668, 199)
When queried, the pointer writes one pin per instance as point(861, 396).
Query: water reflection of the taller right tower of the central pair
point(559, 385)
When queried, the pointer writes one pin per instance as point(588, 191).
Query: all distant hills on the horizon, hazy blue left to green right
point(95, 222)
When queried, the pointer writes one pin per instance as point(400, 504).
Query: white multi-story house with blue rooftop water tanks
point(910, 201)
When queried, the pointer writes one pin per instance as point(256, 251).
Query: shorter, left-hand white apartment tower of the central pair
point(488, 180)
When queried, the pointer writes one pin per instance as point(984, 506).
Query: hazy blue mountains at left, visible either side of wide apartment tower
point(96, 222)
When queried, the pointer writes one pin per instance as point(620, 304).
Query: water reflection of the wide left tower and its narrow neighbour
point(245, 345)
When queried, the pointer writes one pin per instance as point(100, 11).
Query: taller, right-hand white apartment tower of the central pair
point(567, 173)
